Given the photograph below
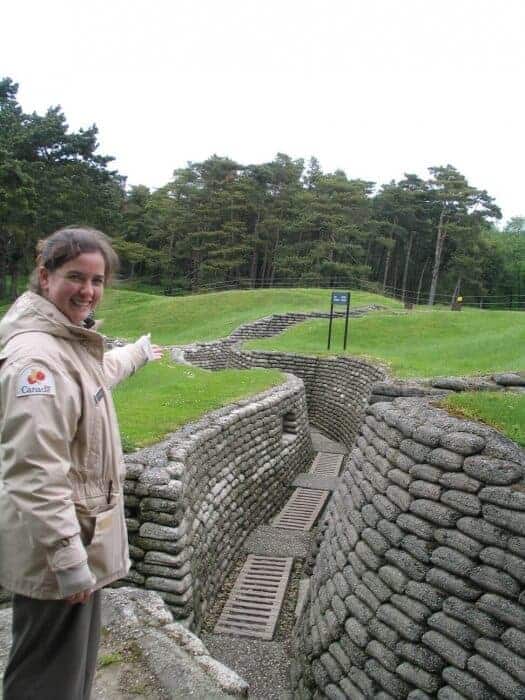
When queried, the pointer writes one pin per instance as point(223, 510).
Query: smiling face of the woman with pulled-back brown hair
point(76, 287)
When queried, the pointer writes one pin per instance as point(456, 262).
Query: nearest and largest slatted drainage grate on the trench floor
point(255, 601)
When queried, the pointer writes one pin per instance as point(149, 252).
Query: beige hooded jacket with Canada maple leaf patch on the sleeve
point(62, 527)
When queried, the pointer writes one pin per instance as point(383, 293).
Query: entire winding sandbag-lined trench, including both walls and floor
point(410, 582)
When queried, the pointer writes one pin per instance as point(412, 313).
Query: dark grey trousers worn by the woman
point(54, 649)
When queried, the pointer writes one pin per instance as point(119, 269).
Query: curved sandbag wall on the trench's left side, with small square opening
point(192, 500)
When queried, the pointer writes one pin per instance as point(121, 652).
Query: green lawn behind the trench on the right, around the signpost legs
point(420, 343)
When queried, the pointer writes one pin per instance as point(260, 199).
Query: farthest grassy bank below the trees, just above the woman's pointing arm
point(180, 320)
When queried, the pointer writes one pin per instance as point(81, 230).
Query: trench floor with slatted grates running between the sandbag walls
point(262, 656)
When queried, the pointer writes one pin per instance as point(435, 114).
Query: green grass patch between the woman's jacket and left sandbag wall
point(163, 396)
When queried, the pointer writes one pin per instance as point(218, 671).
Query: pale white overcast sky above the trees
point(374, 87)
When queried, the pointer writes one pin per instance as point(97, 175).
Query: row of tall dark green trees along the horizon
point(222, 224)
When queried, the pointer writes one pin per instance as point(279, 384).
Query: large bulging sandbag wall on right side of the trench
point(418, 588)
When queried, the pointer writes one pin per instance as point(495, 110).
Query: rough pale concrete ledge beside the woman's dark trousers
point(151, 655)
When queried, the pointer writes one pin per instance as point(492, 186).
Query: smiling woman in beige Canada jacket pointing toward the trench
point(62, 527)
